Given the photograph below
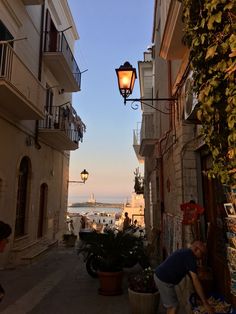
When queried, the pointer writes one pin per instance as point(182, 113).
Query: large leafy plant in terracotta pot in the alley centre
point(112, 251)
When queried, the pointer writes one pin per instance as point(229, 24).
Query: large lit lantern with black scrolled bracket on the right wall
point(126, 75)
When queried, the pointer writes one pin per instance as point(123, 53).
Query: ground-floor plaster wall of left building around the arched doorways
point(47, 166)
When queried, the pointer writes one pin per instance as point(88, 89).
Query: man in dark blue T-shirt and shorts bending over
point(170, 272)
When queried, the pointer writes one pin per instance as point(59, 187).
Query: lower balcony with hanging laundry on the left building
point(62, 128)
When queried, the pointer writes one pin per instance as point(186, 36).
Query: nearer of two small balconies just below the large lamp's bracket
point(147, 138)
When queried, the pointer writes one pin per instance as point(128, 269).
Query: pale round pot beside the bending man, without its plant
point(143, 303)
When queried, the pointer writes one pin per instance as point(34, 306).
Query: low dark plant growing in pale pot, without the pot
point(143, 281)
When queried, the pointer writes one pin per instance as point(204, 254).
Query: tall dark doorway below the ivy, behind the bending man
point(214, 198)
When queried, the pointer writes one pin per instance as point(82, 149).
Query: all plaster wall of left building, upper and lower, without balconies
point(18, 138)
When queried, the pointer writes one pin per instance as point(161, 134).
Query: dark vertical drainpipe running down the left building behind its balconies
point(37, 145)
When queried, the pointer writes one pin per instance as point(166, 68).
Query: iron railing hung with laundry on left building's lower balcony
point(64, 118)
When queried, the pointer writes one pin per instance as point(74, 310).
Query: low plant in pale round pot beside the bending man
point(143, 294)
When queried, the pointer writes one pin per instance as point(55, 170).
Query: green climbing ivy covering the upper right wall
point(210, 33)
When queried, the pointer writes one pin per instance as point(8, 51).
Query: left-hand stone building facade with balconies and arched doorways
point(38, 124)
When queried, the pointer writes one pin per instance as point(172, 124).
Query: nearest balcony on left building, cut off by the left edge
point(22, 95)
